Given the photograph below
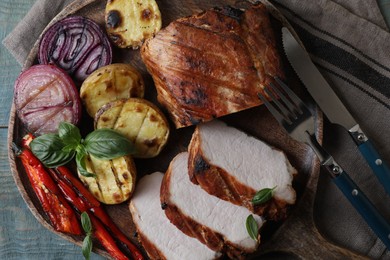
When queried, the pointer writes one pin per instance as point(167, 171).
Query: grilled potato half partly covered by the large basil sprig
point(114, 180)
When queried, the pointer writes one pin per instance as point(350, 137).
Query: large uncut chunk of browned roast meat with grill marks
point(213, 63)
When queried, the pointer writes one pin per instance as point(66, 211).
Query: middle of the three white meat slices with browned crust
point(215, 222)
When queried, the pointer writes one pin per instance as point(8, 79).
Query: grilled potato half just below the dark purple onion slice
point(109, 83)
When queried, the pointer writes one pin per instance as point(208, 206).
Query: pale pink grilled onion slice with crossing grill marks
point(44, 97)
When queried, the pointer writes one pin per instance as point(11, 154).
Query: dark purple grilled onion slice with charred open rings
point(77, 45)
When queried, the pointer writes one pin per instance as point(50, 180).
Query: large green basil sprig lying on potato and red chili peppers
point(54, 150)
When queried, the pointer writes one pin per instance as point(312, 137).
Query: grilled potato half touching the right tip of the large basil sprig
point(140, 121)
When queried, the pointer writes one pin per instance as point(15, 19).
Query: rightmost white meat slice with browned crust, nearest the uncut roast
point(233, 166)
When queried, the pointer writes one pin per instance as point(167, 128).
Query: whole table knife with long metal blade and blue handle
point(332, 106)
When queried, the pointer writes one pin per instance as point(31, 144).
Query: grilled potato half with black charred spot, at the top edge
point(130, 22)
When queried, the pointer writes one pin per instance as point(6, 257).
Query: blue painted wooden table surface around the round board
point(21, 235)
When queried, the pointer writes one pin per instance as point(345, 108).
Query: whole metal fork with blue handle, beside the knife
point(291, 113)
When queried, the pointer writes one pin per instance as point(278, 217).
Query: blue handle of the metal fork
point(366, 209)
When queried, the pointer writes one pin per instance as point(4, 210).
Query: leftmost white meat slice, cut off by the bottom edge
point(160, 238)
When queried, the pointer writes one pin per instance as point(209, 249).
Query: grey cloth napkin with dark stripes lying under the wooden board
point(350, 43)
